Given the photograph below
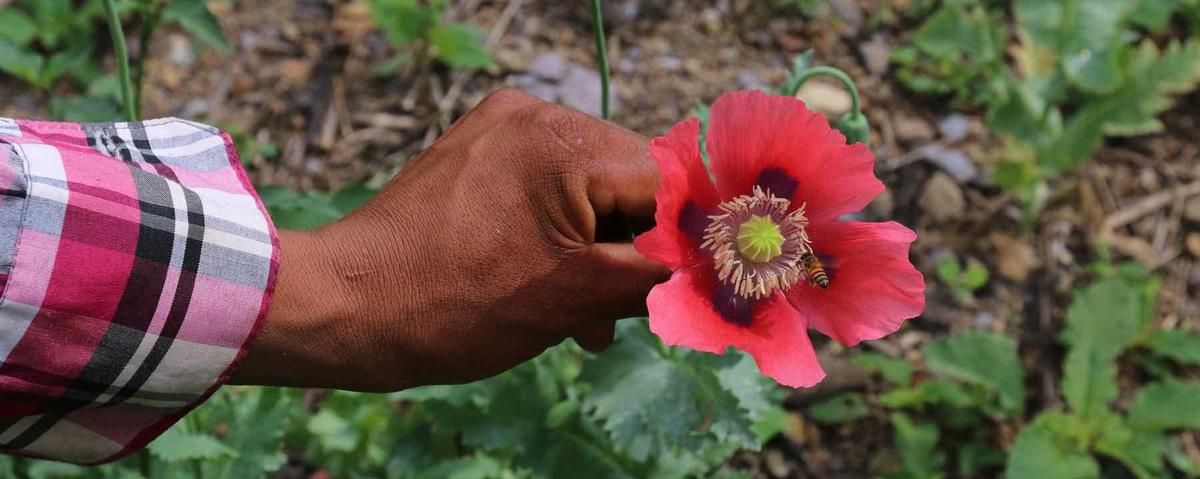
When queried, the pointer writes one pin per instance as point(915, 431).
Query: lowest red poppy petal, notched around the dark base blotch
point(682, 315)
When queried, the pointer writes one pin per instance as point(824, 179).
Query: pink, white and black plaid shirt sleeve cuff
point(136, 266)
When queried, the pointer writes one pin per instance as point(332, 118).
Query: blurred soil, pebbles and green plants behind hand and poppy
point(1046, 152)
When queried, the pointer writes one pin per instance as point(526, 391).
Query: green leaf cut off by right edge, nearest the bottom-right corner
point(1167, 406)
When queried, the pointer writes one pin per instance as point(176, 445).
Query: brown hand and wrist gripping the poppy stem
point(479, 255)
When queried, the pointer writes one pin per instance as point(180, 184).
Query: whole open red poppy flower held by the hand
point(761, 256)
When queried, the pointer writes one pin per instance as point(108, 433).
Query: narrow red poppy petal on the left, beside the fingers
point(683, 199)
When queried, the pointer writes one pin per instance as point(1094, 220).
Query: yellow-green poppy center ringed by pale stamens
point(759, 244)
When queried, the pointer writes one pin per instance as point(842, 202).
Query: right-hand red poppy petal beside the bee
point(873, 285)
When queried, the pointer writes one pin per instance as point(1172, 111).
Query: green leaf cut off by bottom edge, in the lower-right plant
point(1041, 453)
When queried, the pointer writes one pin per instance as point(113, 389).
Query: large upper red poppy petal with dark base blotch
point(779, 143)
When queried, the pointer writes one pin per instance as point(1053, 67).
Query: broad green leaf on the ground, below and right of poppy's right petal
point(981, 358)
